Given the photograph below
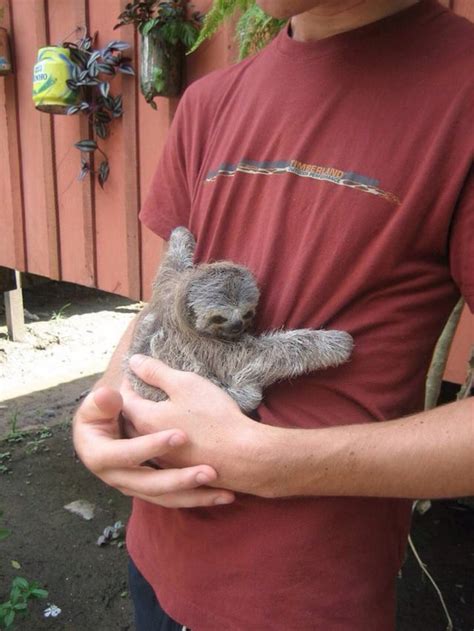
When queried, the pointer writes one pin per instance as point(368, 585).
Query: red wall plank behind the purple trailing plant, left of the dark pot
point(117, 251)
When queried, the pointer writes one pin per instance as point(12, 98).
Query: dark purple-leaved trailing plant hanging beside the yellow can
point(93, 70)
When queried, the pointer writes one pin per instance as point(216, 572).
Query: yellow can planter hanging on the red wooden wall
point(52, 70)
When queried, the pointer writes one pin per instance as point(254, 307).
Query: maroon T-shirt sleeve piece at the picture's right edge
point(461, 245)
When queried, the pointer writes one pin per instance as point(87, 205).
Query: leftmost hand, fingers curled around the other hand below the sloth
point(117, 461)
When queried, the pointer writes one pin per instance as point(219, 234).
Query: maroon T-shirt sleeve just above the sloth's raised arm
point(168, 200)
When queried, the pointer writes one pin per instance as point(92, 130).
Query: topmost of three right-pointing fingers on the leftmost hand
point(131, 452)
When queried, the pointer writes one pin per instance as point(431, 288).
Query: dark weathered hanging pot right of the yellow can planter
point(161, 67)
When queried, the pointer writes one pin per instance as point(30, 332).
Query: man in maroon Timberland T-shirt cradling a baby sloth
point(336, 165)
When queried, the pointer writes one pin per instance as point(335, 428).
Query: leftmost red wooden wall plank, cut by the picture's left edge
point(12, 242)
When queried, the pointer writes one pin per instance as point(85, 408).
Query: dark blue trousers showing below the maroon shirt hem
point(149, 616)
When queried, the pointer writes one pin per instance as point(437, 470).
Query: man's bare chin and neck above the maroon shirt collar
point(338, 16)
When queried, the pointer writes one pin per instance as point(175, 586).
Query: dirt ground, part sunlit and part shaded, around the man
point(41, 382)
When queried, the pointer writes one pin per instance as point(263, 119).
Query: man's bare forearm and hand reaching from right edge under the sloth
point(430, 454)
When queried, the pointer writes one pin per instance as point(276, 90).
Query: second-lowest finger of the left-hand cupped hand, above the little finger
point(152, 482)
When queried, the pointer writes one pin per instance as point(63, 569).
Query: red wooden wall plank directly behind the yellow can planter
point(67, 21)
